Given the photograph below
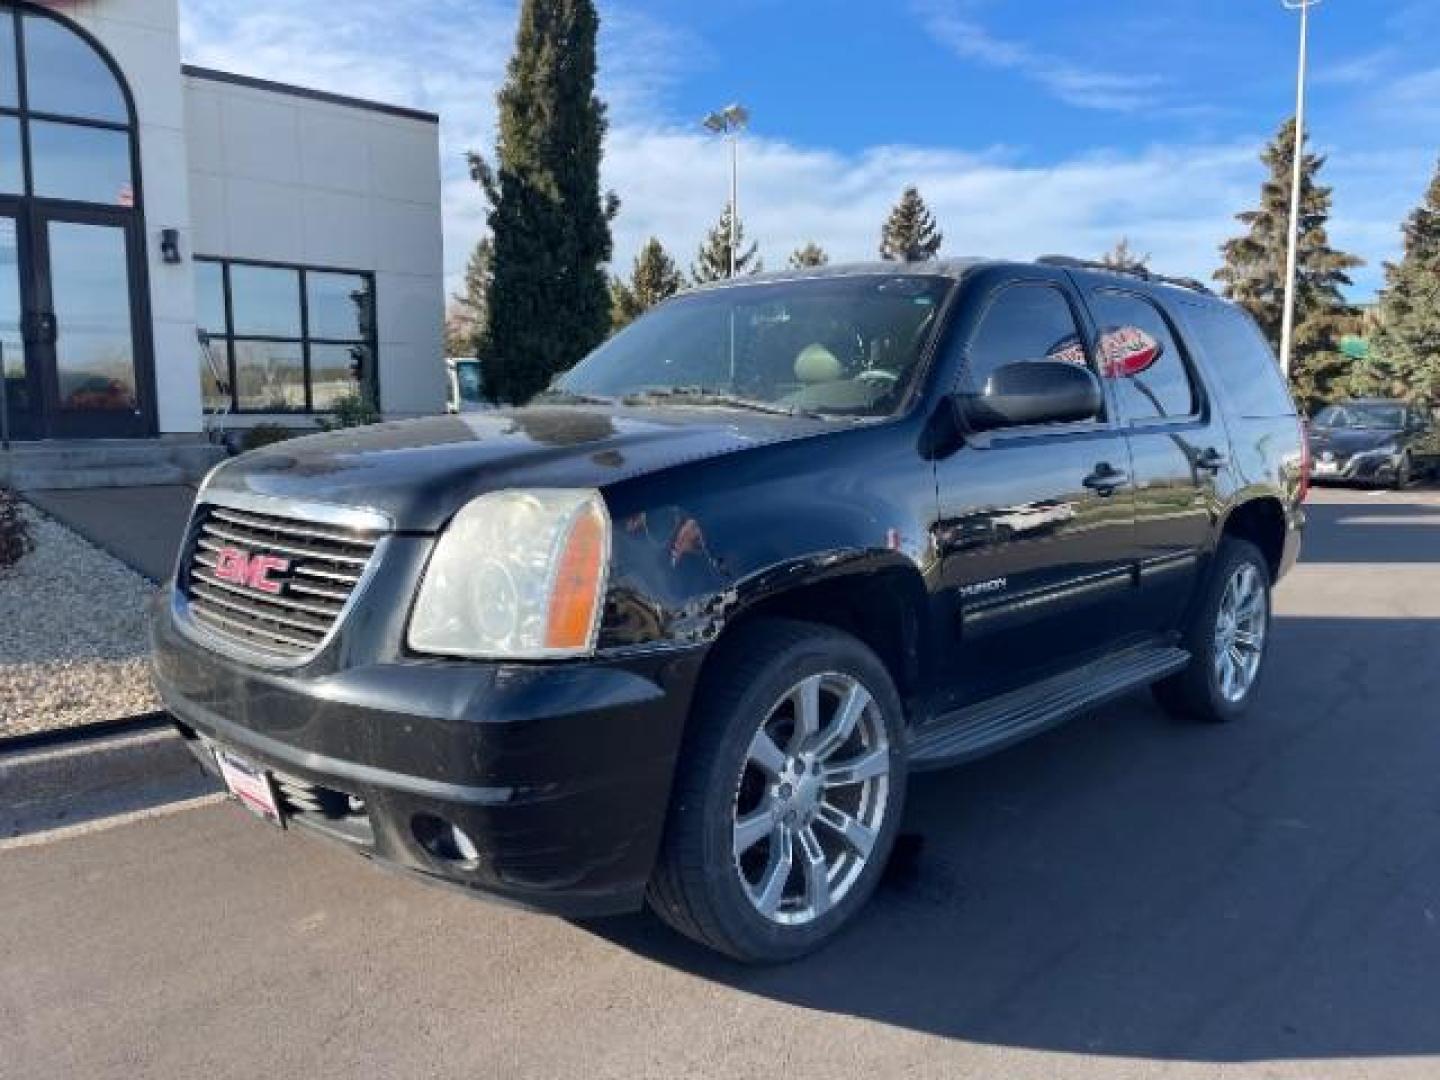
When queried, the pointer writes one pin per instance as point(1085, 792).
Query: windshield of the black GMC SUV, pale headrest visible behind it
point(846, 346)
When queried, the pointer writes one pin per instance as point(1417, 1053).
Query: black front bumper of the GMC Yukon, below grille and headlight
point(559, 774)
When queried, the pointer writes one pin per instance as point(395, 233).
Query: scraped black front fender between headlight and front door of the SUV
point(699, 546)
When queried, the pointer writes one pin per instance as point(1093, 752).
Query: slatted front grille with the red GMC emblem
point(322, 568)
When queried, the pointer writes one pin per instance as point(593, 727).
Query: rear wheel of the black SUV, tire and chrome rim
point(1228, 639)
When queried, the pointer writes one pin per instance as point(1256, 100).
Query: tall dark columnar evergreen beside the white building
point(549, 297)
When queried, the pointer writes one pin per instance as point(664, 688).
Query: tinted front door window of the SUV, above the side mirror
point(1023, 323)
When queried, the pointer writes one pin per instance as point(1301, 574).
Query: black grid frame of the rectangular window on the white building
point(371, 379)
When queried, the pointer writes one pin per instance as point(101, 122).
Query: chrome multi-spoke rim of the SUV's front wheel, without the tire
point(811, 798)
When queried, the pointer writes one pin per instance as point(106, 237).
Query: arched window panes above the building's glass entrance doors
point(66, 119)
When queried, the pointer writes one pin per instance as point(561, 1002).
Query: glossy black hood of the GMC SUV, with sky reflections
point(420, 473)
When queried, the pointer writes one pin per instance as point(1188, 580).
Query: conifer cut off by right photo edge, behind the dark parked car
point(1405, 354)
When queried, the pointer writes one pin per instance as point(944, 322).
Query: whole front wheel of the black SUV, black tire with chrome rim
point(788, 794)
